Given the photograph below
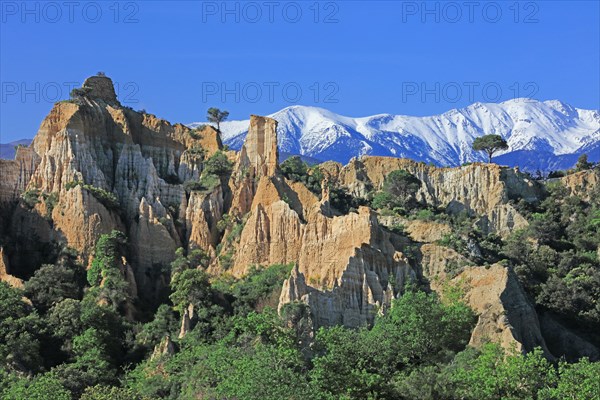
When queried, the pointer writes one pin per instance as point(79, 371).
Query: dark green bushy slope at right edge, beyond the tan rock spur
point(557, 261)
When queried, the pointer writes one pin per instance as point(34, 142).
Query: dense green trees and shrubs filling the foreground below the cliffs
point(418, 350)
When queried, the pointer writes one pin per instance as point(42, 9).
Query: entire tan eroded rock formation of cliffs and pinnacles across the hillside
point(95, 166)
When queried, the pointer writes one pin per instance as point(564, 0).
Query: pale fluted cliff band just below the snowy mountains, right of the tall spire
point(479, 189)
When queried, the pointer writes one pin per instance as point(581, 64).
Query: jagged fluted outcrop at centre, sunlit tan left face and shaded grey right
point(348, 269)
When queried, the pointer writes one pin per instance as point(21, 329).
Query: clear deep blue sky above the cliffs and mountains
point(355, 58)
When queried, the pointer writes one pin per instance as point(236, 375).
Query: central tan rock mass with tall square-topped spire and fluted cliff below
point(346, 266)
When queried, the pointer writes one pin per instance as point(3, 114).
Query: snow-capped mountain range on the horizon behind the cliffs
point(545, 135)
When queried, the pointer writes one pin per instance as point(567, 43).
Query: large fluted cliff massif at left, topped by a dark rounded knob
point(136, 157)
